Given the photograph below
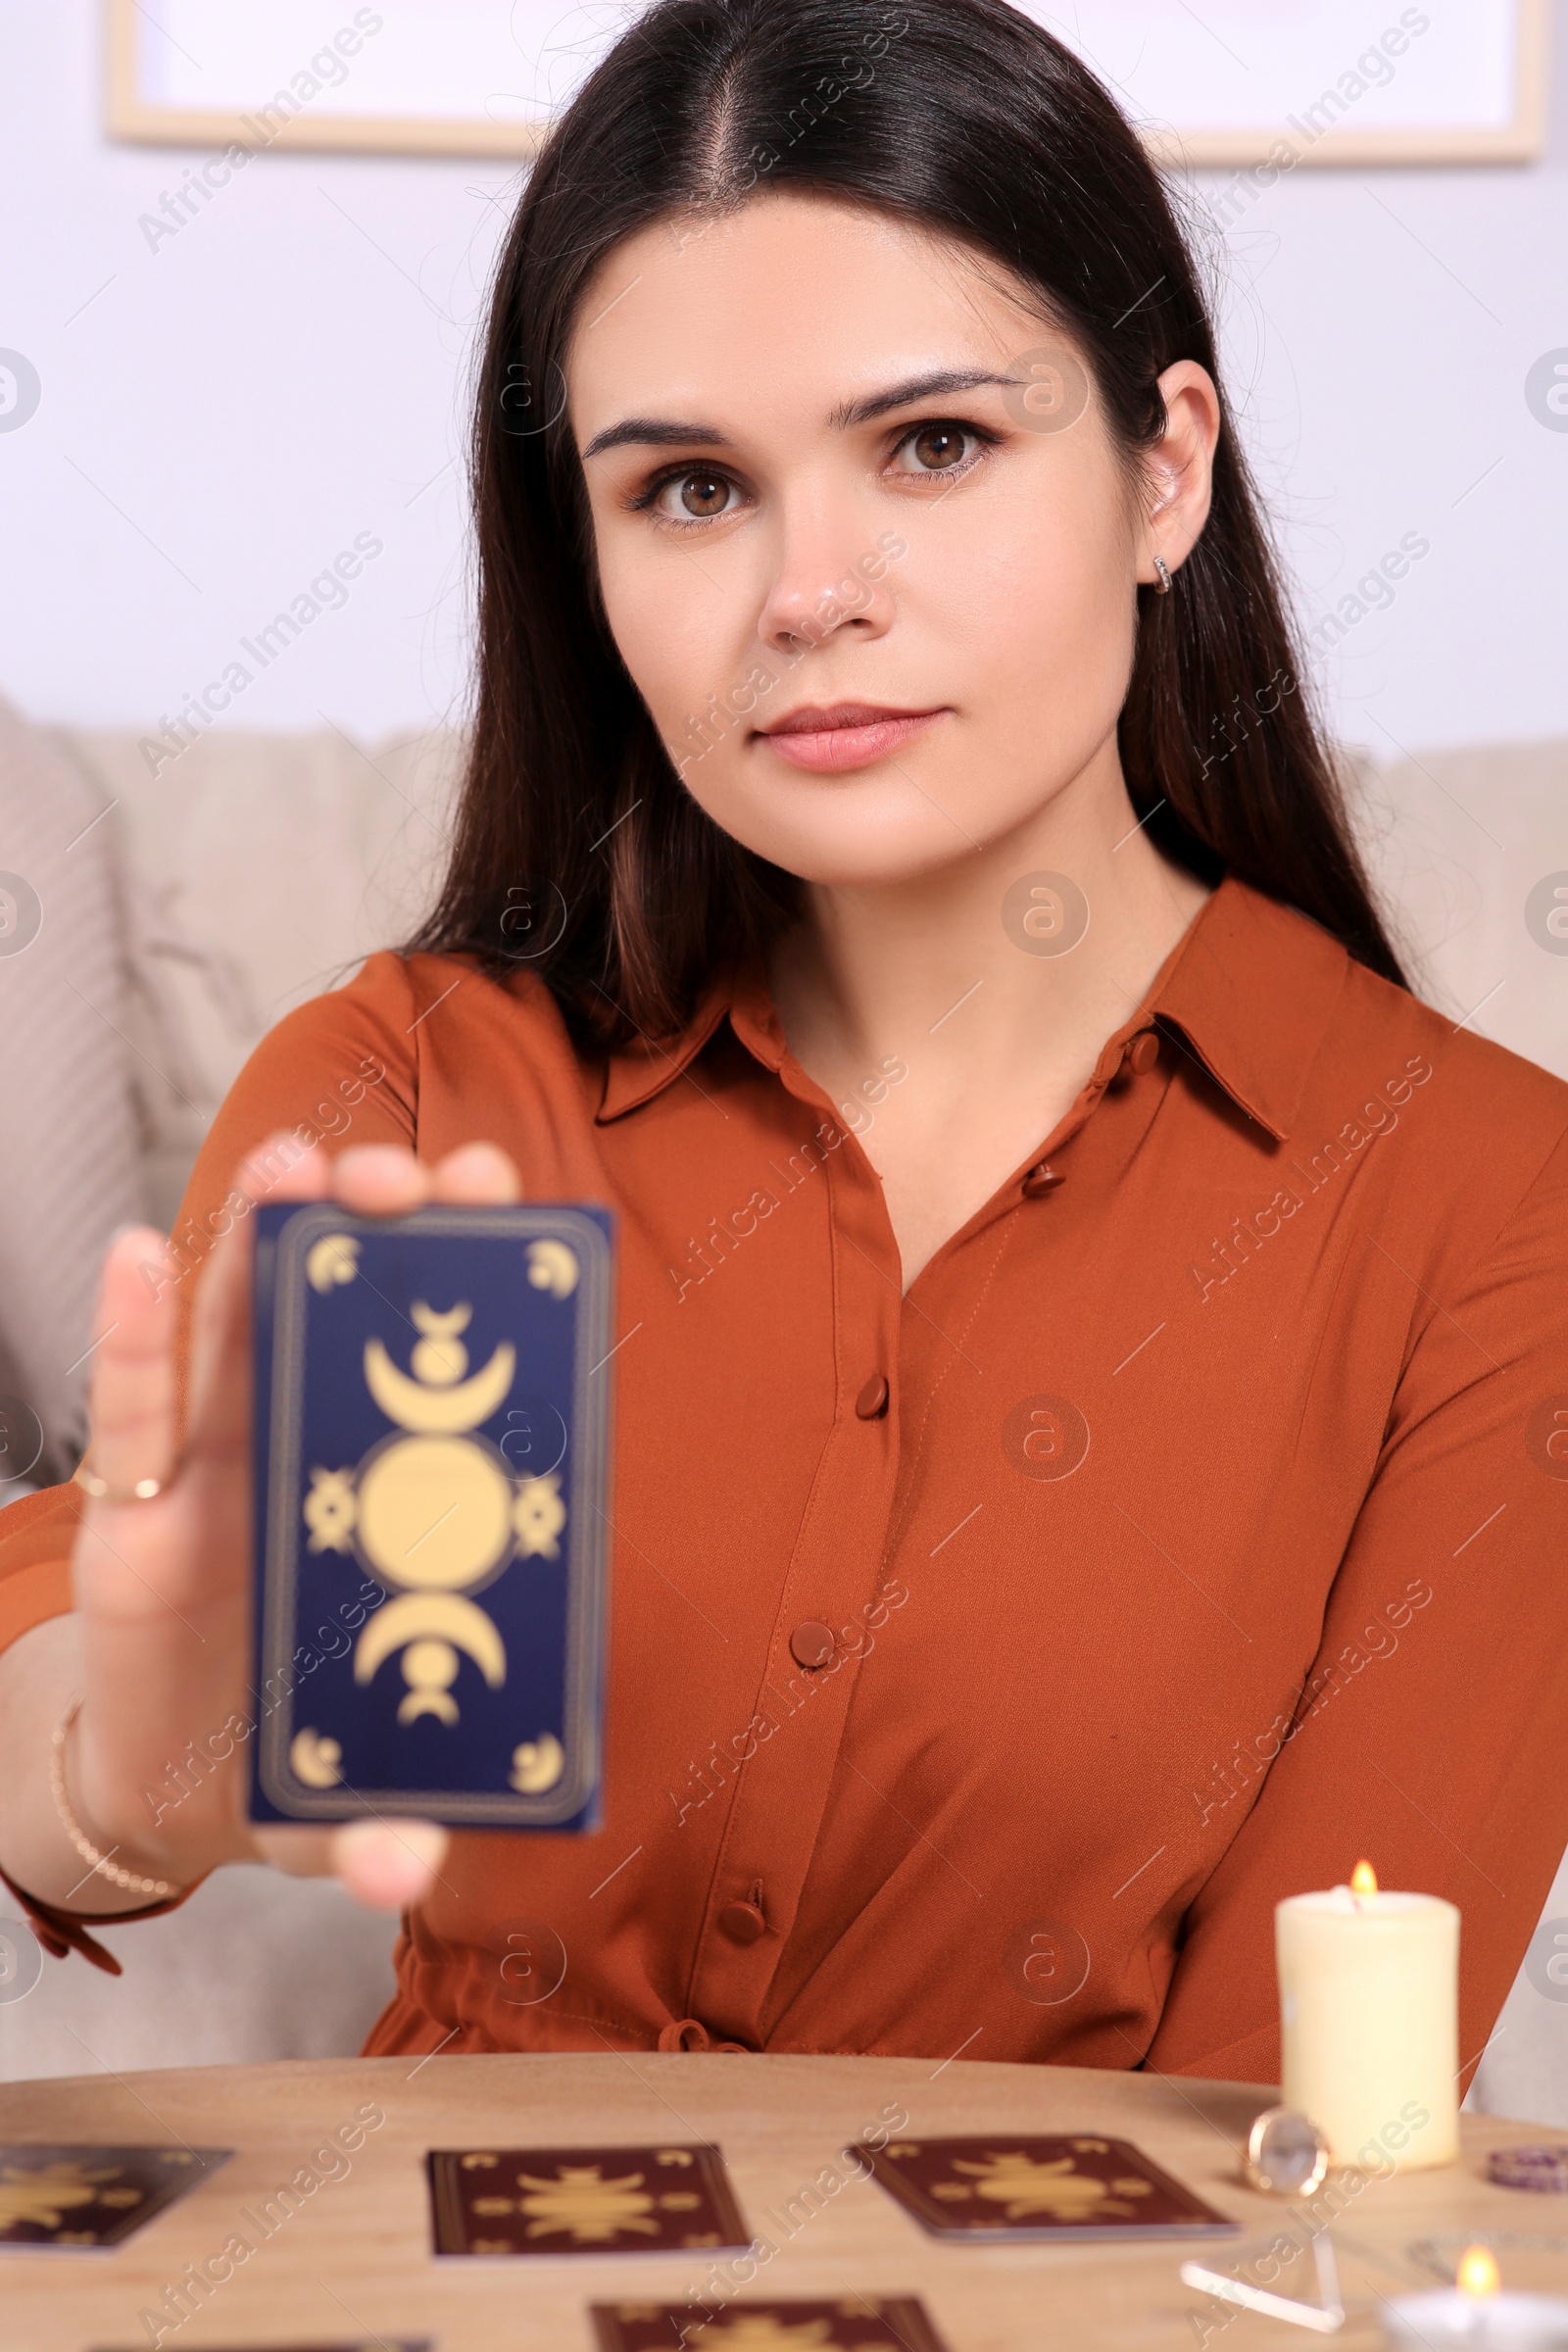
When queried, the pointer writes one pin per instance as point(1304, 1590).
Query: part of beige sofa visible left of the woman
point(180, 916)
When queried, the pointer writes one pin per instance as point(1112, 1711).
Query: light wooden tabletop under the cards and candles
point(354, 2264)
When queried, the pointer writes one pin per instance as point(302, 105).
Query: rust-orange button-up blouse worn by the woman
point(986, 1664)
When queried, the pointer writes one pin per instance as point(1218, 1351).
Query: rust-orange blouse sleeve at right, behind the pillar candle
point(1430, 1732)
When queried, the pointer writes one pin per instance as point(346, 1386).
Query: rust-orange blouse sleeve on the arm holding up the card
point(337, 1071)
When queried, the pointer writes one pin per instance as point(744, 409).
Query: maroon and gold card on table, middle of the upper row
point(584, 2200)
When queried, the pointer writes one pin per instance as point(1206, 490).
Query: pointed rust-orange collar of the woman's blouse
point(1252, 987)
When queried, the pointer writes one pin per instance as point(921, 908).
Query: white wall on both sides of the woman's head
point(222, 415)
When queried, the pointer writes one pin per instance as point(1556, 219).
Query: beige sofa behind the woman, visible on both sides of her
point(187, 904)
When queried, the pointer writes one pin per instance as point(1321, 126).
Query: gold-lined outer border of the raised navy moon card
point(587, 1591)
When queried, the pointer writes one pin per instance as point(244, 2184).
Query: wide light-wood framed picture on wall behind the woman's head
point(1212, 83)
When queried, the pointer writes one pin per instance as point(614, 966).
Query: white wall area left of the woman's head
point(229, 410)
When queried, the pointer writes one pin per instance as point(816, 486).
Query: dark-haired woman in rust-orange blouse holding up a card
point(1085, 1325)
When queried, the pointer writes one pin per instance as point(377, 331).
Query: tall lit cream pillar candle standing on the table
point(1369, 2003)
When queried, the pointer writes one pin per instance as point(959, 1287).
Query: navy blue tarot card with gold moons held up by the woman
point(431, 1514)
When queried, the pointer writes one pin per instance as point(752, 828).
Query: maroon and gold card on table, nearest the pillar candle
point(1068, 2186)
